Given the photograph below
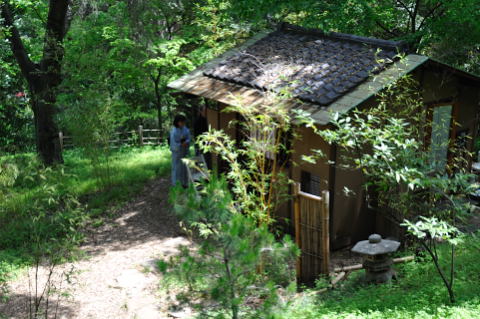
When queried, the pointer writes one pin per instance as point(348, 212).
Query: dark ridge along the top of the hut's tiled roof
point(399, 45)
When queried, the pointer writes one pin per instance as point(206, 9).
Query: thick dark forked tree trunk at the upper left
point(43, 77)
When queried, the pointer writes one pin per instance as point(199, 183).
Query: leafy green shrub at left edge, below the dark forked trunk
point(49, 211)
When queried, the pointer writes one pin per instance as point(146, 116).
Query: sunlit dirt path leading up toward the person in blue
point(118, 278)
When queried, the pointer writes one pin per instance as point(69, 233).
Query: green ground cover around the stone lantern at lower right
point(418, 293)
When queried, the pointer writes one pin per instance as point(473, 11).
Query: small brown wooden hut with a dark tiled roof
point(332, 72)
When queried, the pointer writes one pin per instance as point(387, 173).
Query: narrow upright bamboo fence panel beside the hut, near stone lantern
point(311, 215)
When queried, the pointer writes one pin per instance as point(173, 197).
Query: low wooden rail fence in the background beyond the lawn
point(140, 137)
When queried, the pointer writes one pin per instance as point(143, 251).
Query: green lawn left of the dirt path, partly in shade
point(43, 203)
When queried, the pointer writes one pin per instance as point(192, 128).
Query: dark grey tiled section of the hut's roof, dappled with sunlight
point(319, 67)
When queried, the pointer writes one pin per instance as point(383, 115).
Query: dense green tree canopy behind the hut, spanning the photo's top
point(123, 53)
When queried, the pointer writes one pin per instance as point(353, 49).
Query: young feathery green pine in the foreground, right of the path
point(237, 259)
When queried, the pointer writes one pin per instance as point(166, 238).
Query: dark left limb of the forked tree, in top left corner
point(13, 35)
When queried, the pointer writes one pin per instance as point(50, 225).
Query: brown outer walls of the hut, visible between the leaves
point(350, 219)
